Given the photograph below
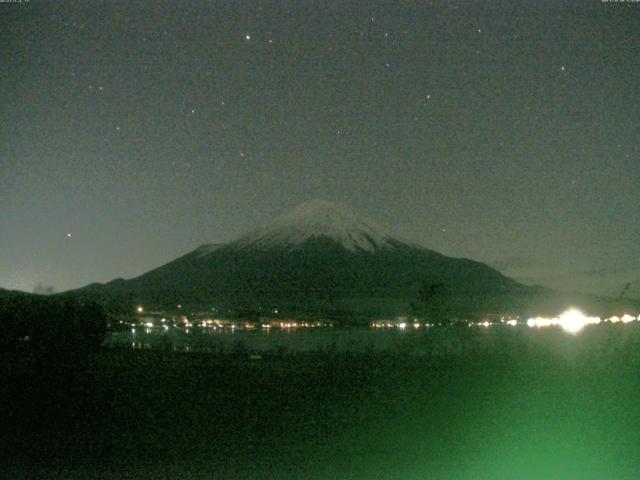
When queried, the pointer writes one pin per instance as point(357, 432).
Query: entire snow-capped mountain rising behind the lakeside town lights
point(317, 258)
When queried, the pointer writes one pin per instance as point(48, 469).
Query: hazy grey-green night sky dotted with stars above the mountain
point(132, 132)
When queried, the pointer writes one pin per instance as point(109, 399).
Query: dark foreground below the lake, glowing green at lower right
point(493, 404)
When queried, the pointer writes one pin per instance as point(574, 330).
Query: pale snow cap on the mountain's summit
point(318, 219)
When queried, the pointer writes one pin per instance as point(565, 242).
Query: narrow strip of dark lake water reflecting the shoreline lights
point(433, 341)
